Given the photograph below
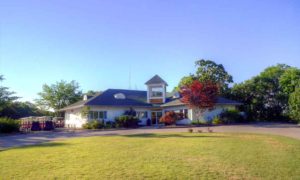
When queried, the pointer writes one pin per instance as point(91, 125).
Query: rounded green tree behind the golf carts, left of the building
point(59, 95)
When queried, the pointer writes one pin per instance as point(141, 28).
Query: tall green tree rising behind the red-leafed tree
point(208, 70)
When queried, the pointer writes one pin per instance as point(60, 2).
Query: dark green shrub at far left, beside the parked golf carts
point(8, 125)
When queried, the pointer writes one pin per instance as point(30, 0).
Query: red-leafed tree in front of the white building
point(200, 95)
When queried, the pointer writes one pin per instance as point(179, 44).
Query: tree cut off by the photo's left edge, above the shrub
point(6, 96)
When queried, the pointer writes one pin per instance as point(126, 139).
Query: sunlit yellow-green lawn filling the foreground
point(157, 156)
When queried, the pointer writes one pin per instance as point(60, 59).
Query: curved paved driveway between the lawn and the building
point(288, 130)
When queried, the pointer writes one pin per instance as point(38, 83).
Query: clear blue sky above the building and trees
point(98, 42)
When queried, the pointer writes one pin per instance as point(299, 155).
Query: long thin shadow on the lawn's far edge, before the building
point(151, 135)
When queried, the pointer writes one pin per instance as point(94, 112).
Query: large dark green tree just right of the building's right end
point(262, 95)
